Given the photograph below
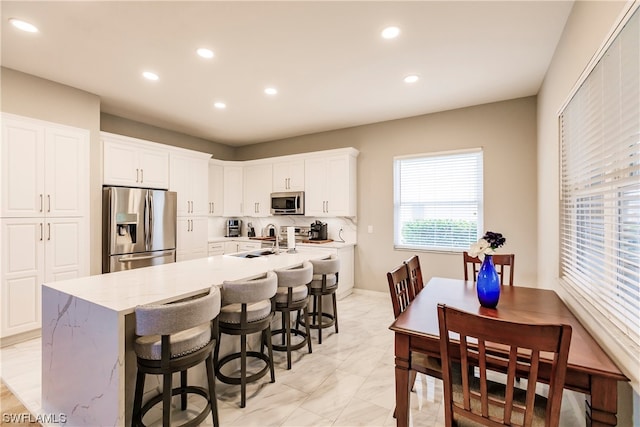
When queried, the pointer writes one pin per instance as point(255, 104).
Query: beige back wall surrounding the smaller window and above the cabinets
point(507, 133)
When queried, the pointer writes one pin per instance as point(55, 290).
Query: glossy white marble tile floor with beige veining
point(348, 380)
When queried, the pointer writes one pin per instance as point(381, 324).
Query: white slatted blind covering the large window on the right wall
point(600, 187)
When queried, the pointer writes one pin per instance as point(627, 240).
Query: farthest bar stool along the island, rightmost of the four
point(325, 282)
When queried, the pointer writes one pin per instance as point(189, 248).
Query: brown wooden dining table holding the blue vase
point(590, 370)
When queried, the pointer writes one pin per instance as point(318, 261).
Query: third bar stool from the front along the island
point(292, 296)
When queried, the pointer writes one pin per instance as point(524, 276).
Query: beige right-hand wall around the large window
point(586, 31)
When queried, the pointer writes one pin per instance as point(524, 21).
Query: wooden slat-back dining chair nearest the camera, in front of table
point(497, 347)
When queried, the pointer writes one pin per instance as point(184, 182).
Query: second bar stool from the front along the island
point(247, 308)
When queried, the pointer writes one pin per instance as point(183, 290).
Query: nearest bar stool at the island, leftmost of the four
point(173, 338)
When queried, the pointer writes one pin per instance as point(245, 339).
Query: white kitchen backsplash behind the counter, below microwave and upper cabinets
point(334, 225)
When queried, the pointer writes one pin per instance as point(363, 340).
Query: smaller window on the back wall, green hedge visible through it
point(438, 200)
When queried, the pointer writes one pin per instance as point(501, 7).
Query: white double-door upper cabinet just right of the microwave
point(330, 183)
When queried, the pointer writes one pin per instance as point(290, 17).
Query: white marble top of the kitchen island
point(123, 291)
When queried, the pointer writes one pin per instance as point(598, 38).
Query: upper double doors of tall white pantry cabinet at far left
point(45, 169)
